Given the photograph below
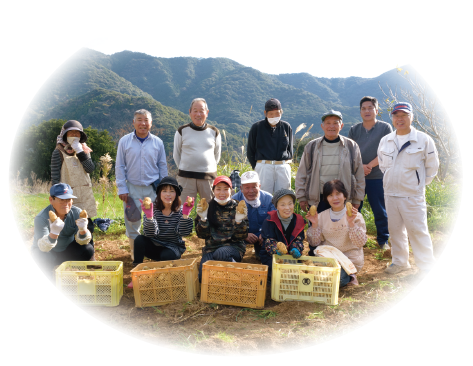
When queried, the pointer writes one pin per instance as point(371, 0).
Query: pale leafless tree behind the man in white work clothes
point(430, 116)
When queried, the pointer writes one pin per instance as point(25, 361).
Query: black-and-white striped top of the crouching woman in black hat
point(167, 231)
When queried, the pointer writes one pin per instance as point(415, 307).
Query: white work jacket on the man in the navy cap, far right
point(409, 168)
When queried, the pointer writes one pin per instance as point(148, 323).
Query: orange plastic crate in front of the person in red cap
point(236, 286)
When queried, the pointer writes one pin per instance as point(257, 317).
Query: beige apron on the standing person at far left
point(73, 173)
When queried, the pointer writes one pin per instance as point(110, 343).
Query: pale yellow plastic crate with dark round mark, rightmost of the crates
point(291, 282)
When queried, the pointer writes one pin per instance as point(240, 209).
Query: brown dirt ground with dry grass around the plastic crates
point(219, 330)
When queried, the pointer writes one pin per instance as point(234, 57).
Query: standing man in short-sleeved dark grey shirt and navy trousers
point(367, 135)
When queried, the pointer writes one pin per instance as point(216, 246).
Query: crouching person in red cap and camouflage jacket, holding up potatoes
point(225, 230)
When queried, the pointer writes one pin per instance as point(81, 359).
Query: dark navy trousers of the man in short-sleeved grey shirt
point(375, 192)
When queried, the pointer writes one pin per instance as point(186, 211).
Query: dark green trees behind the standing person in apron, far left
point(31, 151)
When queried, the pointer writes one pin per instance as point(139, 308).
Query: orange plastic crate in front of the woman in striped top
point(159, 285)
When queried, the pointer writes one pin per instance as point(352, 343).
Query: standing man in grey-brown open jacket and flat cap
point(326, 158)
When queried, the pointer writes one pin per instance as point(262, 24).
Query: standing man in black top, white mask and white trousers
point(269, 148)
